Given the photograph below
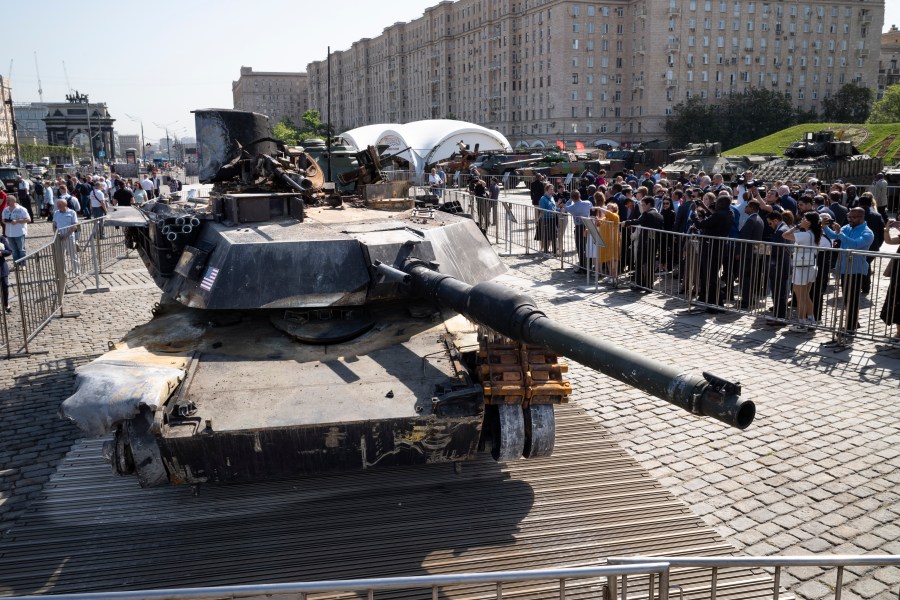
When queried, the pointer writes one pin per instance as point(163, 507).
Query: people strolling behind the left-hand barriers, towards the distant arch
point(60, 201)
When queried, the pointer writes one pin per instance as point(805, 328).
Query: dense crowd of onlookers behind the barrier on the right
point(731, 242)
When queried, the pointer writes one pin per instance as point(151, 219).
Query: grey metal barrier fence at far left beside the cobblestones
point(39, 280)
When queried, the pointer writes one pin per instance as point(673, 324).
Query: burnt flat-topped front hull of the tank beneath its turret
point(255, 405)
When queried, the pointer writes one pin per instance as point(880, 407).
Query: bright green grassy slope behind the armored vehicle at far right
point(878, 140)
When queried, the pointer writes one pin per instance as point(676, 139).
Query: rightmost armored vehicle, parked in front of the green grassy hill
point(821, 156)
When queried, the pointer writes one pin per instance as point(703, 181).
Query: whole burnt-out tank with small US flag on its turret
point(296, 337)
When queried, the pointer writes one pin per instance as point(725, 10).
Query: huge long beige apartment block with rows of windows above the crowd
point(546, 70)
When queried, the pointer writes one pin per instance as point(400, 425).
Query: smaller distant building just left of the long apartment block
point(276, 94)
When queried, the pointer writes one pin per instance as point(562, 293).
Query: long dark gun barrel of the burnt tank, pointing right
point(517, 317)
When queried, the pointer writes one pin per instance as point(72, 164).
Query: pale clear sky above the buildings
point(158, 61)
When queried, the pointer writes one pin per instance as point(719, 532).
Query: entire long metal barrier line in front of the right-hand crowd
point(846, 292)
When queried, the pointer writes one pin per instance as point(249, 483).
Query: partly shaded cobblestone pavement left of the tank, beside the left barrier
point(34, 438)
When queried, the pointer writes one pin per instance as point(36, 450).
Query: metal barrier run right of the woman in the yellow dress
point(846, 292)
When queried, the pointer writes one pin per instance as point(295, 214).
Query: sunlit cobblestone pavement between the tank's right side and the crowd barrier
point(818, 472)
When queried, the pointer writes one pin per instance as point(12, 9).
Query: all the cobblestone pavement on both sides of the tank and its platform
point(817, 472)
